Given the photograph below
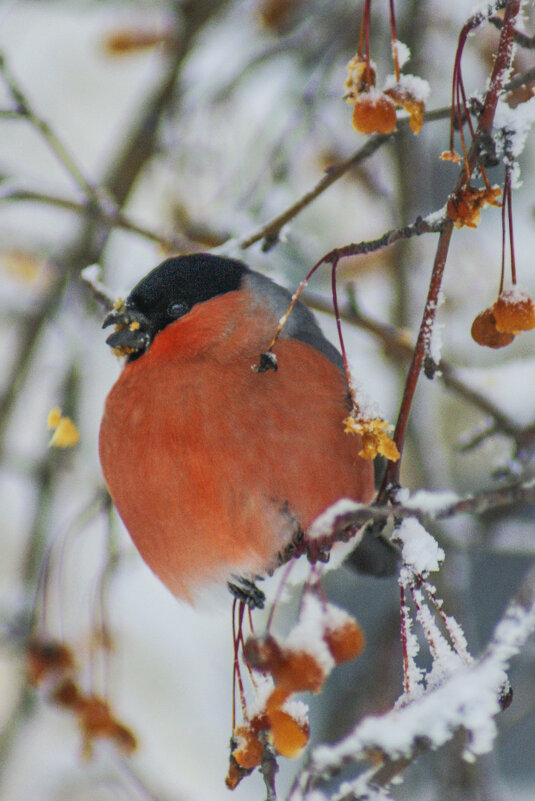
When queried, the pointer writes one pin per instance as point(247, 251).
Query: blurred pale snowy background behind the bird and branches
point(229, 113)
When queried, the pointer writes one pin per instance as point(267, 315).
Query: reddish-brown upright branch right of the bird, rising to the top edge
point(503, 59)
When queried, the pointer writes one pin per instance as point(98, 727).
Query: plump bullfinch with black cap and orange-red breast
point(214, 467)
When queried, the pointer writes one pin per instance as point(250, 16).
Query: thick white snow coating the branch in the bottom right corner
point(468, 700)
